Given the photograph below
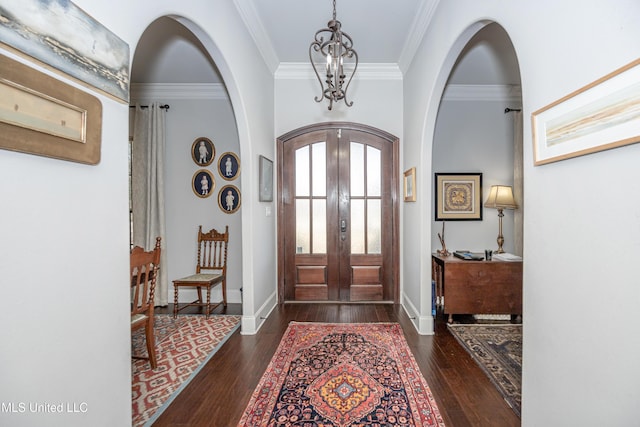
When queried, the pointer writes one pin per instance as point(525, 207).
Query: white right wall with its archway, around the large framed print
point(581, 227)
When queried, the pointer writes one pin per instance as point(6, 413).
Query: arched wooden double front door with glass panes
point(337, 238)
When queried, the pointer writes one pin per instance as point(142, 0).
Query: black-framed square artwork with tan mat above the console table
point(458, 196)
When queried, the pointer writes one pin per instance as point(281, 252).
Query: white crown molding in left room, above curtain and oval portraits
point(166, 91)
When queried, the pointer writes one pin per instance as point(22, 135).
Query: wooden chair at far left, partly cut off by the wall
point(144, 271)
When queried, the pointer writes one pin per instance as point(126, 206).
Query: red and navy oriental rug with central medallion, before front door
point(342, 374)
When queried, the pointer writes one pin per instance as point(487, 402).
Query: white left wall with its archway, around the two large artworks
point(64, 226)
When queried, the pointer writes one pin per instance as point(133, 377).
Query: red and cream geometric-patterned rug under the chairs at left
point(183, 346)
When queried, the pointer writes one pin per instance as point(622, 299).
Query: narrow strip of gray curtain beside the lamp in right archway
point(518, 183)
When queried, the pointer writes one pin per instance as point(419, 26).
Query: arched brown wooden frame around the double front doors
point(395, 212)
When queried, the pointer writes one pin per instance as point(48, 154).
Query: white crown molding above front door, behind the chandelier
point(304, 71)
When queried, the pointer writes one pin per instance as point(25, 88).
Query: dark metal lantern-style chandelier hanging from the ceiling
point(332, 53)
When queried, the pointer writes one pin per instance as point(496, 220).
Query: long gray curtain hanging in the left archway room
point(147, 186)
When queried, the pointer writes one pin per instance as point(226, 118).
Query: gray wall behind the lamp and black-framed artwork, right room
point(474, 136)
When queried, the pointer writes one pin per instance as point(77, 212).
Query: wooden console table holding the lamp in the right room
point(477, 287)
